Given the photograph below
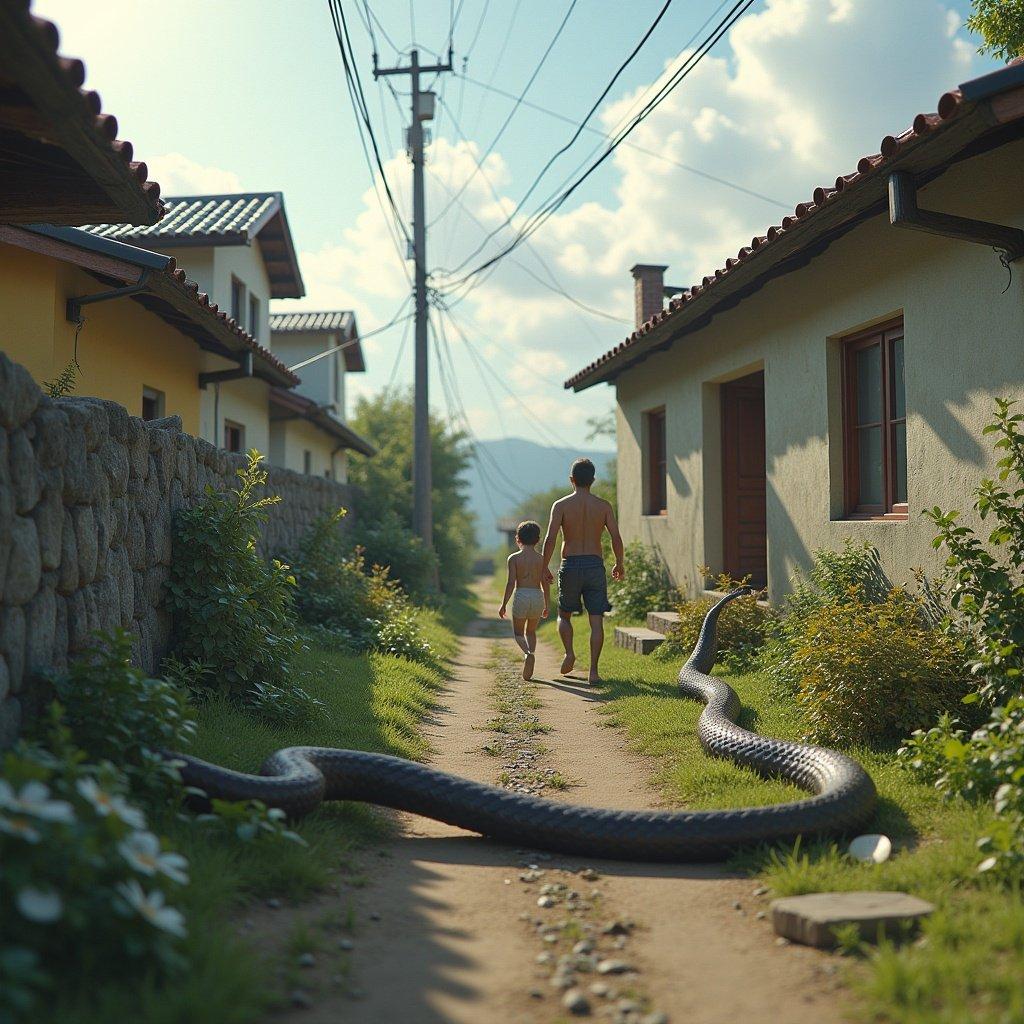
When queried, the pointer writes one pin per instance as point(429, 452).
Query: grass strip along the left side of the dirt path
point(375, 703)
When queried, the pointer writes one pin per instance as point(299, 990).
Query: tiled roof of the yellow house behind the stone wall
point(168, 292)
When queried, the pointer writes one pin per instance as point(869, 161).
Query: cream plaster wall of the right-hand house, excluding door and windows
point(964, 332)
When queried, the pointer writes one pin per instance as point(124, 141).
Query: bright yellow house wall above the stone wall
point(121, 349)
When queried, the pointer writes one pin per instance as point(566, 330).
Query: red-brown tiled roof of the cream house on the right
point(987, 111)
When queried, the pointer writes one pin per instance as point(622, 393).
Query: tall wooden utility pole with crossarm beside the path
point(422, 110)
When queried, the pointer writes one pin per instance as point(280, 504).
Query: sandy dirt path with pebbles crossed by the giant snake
point(453, 929)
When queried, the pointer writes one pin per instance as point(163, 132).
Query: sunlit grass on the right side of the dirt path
point(966, 966)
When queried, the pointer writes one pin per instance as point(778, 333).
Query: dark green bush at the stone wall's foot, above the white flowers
point(116, 713)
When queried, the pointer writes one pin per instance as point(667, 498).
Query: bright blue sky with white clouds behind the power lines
point(225, 96)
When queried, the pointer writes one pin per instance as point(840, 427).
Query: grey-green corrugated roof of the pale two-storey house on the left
point(238, 220)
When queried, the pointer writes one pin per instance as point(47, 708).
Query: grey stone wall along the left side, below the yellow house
point(88, 499)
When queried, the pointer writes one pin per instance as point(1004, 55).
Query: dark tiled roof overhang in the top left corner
point(63, 159)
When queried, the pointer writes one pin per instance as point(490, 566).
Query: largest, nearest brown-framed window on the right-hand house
point(875, 424)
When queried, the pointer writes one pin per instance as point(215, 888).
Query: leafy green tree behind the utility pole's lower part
point(386, 514)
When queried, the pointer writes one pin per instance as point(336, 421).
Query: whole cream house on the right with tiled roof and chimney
point(834, 379)
